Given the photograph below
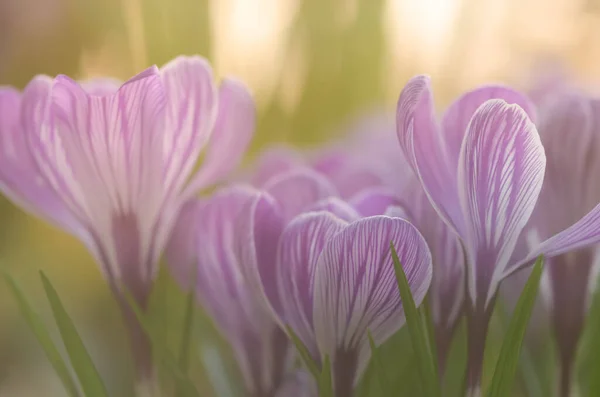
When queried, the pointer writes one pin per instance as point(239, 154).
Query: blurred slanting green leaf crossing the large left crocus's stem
point(159, 347)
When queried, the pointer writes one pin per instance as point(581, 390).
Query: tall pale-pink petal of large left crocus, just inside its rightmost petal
point(190, 114)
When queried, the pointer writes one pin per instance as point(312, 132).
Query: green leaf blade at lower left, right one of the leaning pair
point(82, 363)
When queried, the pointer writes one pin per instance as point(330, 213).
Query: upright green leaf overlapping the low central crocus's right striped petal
point(419, 335)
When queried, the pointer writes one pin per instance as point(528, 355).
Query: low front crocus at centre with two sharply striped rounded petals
point(332, 280)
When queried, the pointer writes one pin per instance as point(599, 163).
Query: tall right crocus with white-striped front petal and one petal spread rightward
point(482, 169)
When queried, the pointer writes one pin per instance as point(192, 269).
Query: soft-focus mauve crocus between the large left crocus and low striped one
point(209, 236)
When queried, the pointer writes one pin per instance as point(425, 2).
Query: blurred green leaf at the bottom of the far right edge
point(592, 344)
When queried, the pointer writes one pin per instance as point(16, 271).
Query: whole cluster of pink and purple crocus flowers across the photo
point(303, 245)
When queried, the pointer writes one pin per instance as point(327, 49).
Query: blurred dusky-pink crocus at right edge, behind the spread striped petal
point(571, 136)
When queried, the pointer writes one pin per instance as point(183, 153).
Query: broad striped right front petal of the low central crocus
point(356, 290)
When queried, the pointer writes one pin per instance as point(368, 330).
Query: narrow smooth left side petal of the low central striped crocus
point(260, 226)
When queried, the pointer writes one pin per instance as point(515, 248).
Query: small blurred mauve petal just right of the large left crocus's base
point(183, 245)
